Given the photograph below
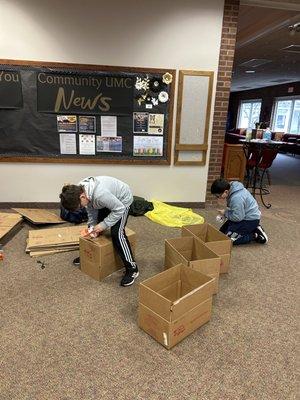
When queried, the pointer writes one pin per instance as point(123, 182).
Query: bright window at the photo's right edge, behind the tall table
point(286, 115)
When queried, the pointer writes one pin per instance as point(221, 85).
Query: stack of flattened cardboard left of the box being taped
point(49, 241)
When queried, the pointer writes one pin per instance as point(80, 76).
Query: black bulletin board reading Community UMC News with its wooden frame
point(75, 113)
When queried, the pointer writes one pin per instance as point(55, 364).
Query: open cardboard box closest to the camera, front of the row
point(174, 304)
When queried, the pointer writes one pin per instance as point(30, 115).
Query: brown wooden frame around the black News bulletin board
point(94, 160)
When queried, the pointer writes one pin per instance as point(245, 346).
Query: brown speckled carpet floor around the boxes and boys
point(66, 336)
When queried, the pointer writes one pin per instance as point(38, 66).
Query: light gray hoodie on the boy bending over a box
point(106, 192)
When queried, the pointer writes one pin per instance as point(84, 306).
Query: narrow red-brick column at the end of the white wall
point(230, 18)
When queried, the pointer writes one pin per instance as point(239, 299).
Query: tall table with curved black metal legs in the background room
point(257, 147)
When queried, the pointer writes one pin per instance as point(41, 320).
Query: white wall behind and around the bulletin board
point(173, 34)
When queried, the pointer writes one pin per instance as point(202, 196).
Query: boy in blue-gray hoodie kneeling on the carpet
point(242, 212)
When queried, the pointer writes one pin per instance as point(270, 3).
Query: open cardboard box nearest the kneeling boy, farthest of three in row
point(214, 239)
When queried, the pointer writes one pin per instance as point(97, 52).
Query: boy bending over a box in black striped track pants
point(107, 201)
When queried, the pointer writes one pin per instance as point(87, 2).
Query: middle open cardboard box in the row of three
point(193, 253)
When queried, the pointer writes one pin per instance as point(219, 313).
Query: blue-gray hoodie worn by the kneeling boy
point(241, 204)
